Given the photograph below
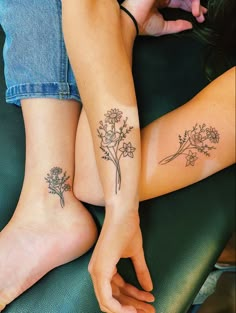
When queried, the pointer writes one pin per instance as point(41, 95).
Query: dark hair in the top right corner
point(219, 33)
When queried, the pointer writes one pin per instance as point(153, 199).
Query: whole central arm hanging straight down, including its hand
point(102, 67)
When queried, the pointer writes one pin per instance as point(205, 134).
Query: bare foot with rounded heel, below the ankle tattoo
point(39, 238)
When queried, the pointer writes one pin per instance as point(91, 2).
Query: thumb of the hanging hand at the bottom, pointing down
point(142, 271)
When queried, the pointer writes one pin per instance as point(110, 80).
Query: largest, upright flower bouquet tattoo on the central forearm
point(112, 133)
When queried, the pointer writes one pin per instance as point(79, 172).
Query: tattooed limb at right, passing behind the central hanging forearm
point(165, 166)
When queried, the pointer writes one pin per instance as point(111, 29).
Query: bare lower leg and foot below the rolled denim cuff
point(50, 226)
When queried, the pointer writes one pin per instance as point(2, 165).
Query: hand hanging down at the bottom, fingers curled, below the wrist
point(120, 238)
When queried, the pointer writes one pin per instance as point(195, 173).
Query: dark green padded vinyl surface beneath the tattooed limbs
point(184, 232)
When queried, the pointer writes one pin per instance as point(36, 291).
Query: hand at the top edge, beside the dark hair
point(152, 23)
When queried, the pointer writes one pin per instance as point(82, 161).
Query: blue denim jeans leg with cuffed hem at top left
point(36, 64)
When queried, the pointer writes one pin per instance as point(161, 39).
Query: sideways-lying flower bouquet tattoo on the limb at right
point(196, 139)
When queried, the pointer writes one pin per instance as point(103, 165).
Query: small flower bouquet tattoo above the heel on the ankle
point(56, 184)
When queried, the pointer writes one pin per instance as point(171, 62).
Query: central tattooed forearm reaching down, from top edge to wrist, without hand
point(103, 73)
